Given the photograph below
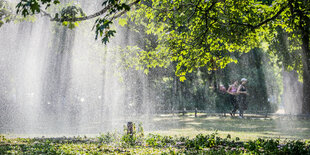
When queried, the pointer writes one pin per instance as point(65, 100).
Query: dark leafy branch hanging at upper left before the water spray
point(71, 15)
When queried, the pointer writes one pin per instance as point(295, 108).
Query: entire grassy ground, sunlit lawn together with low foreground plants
point(173, 134)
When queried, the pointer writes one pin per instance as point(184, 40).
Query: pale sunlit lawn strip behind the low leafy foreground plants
point(249, 128)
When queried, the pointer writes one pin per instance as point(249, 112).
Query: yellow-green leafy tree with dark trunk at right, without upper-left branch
point(200, 33)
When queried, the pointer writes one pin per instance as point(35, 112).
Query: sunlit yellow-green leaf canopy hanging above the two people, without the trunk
point(195, 42)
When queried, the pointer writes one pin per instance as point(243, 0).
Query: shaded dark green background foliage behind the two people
point(200, 90)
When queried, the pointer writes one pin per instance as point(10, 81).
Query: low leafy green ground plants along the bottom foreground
point(154, 144)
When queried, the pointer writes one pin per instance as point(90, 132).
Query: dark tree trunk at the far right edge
point(306, 63)
